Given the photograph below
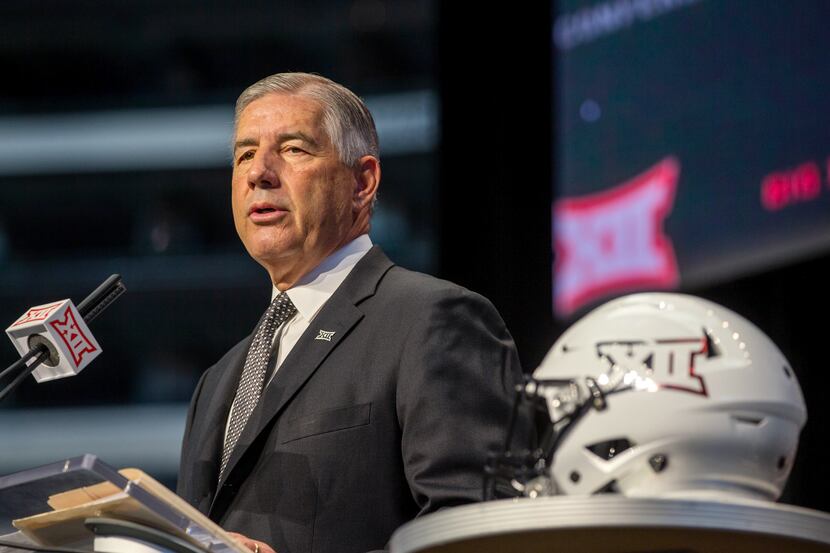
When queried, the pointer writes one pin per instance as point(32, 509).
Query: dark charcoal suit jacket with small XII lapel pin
point(390, 419)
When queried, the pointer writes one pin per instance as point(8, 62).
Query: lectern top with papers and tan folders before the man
point(83, 503)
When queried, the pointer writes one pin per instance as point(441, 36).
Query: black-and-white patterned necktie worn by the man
point(253, 374)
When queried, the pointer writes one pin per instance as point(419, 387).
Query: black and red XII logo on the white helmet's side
point(670, 364)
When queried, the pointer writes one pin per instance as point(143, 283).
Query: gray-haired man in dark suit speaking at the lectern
point(383, 389)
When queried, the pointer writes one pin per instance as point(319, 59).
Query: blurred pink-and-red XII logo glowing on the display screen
point(613, 241)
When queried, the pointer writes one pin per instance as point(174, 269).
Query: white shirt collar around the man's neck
point(313, 290)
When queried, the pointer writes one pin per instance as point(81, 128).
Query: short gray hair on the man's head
point(346, 119)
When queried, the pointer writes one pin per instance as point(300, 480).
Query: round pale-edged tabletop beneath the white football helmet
point(616, 524)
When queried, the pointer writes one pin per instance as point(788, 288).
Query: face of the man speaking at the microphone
point(292, 196)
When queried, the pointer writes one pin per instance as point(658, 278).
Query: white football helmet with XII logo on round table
point(690, 400)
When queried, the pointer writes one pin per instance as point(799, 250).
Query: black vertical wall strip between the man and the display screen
point(494, 74)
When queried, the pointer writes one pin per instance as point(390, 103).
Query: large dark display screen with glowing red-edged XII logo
point(691, 142)
